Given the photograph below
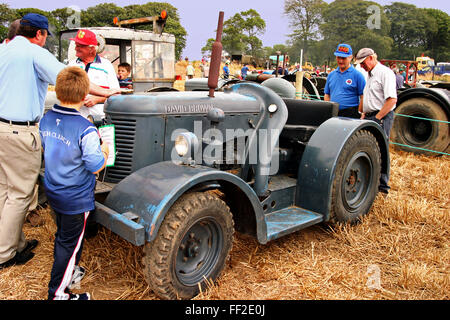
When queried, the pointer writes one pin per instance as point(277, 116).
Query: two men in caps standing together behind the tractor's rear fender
point(371, 99)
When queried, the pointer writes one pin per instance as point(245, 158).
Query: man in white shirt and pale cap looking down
point(380, 97)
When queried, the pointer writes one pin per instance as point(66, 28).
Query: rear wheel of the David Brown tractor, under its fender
point(356, 179)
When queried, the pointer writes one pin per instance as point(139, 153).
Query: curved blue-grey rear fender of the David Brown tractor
point(317, 167)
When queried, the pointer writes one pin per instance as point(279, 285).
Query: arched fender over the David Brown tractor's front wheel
point(151, 191)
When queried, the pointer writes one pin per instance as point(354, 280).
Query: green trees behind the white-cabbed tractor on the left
point(101, 15)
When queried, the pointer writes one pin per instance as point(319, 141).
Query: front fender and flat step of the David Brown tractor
point(153, 199)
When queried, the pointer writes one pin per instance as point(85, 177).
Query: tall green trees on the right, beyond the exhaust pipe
point(396, 31)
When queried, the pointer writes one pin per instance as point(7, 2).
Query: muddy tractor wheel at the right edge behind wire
point(423, 134)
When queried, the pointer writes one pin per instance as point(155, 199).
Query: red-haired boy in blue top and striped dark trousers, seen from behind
point(73, 155)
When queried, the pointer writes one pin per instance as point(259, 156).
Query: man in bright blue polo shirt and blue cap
point(345, 85)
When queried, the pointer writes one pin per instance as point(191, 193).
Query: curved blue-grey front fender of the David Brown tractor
point(161, 184)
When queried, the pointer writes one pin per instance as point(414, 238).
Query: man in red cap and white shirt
point(100, 71)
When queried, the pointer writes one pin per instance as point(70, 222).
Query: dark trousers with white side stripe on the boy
point(67, 252)
